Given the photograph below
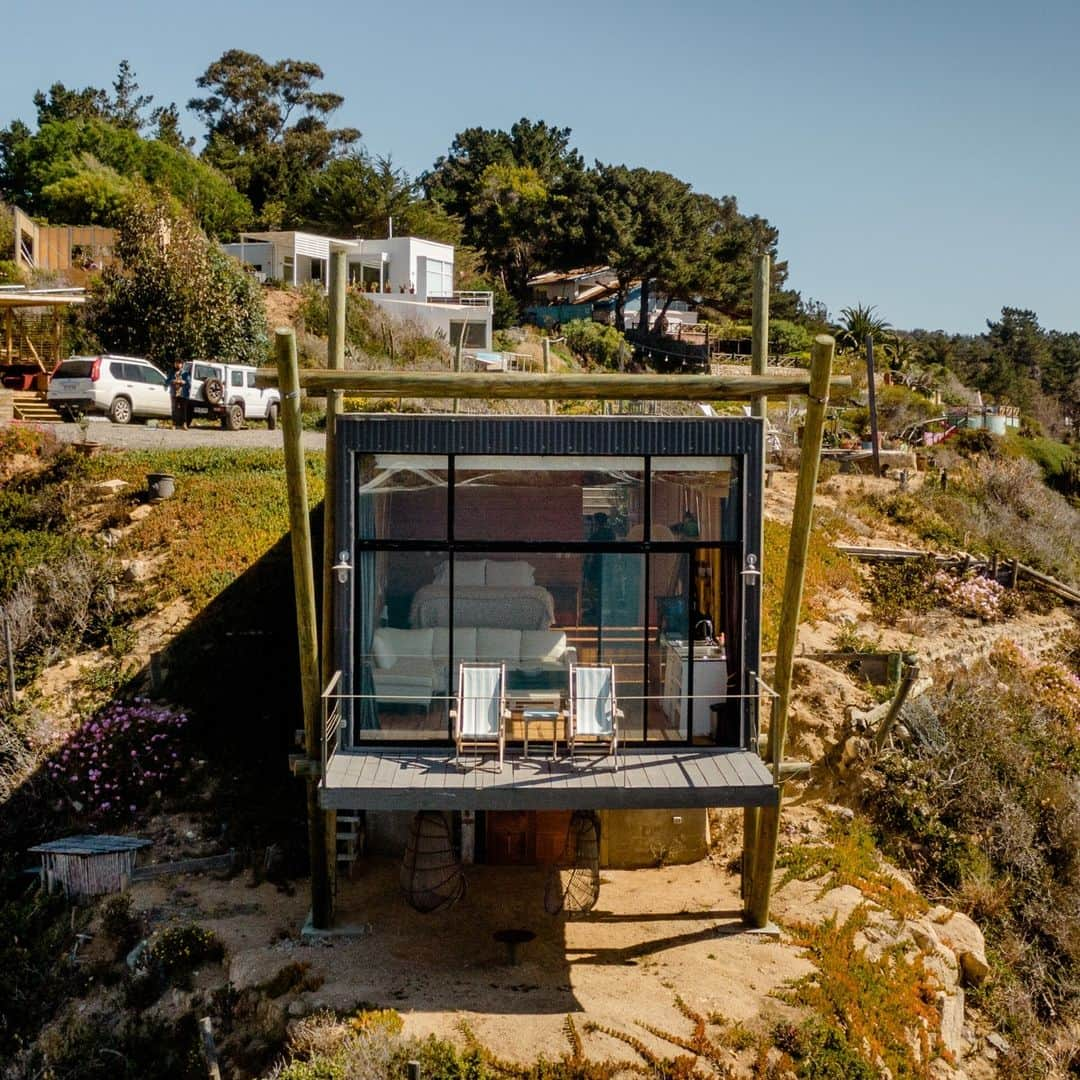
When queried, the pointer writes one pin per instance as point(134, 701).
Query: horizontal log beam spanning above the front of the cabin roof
point(523, 387)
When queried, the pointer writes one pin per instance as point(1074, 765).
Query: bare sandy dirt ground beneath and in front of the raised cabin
point(654, 935)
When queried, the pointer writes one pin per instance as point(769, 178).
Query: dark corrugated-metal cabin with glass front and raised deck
point(545, 545)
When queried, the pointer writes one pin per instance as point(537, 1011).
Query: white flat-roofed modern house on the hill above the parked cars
point(411, 278)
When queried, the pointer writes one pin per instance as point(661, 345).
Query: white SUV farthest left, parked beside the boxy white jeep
point(125, 388)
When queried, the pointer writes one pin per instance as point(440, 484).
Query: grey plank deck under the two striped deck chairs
point(647, 779)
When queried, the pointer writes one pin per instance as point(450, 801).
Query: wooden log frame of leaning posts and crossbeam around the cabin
point(762, 827)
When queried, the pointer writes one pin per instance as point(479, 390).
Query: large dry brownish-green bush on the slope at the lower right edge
point(984, 805)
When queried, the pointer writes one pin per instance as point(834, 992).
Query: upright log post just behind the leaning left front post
point(335, 361)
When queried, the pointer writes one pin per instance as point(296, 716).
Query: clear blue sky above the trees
point(921, 157)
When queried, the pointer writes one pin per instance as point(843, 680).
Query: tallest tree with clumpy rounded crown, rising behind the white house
point(267, 128)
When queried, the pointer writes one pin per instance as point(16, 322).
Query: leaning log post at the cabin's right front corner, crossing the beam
point(768, 833)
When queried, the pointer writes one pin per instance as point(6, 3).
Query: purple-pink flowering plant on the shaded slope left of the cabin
point(124, 755)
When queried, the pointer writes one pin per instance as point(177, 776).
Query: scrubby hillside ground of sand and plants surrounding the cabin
point(872, 969)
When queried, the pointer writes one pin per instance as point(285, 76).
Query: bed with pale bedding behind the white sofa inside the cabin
point(493, 593)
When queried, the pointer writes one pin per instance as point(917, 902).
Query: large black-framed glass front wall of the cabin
point(537, 564)
